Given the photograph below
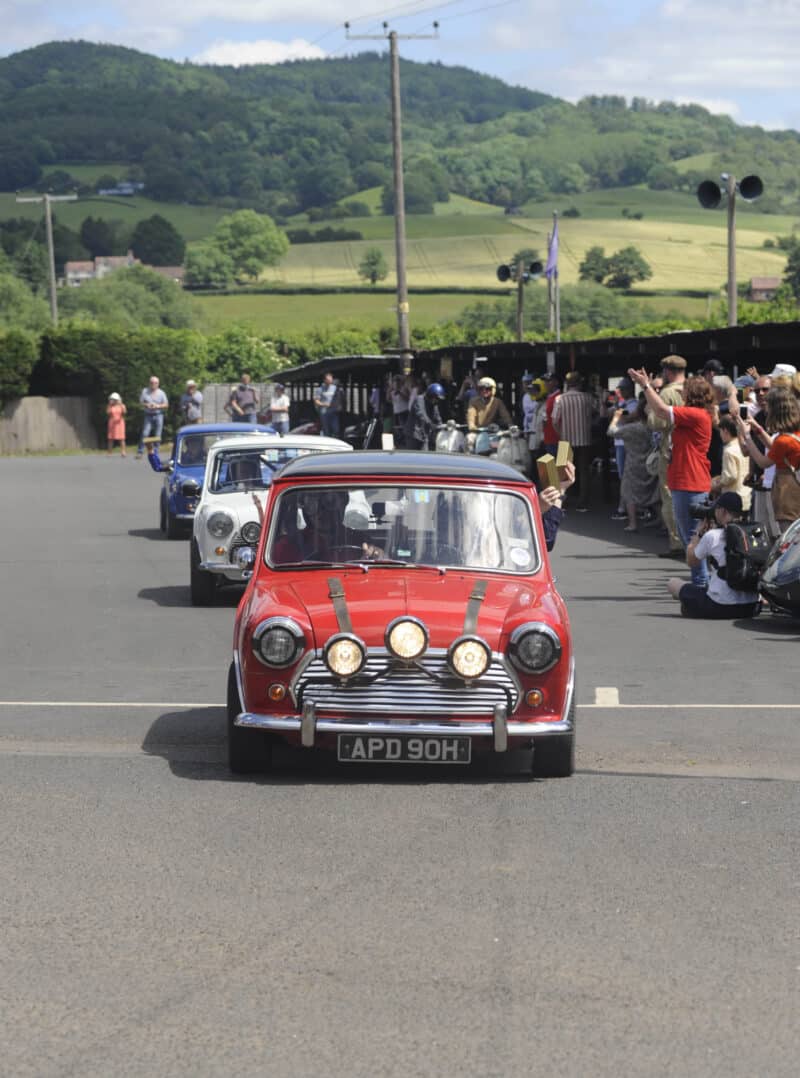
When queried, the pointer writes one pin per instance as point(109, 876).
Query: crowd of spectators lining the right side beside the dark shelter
point(677, 440)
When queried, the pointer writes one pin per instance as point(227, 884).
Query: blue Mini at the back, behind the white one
point(176, 508)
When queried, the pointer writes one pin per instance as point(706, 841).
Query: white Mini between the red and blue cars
point(228, 518)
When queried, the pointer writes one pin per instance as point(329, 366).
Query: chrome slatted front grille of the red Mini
point(406, 690)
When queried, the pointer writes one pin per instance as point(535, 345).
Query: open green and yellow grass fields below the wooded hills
point(463, 244)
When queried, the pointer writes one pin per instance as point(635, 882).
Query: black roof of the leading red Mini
point(384, 465)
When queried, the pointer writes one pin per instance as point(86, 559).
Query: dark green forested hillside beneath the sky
point(294, 136)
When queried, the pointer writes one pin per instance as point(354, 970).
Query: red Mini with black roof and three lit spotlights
point(402, 610)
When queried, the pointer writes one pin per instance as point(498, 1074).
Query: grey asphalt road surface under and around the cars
point(160, 918)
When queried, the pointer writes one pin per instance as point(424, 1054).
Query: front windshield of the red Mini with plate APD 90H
point(416, 526)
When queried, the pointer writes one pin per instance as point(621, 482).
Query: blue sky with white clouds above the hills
point(739, 60)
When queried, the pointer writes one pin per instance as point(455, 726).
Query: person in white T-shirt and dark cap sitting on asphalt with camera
point(720, 601)
